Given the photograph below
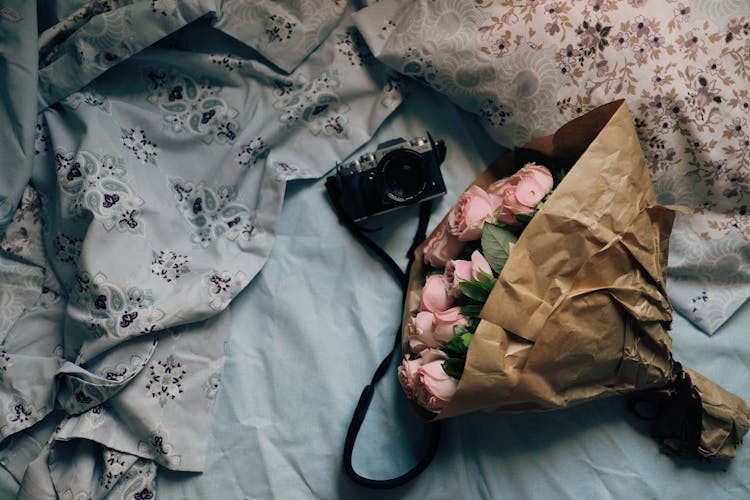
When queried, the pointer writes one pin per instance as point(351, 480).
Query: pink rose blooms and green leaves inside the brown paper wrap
point(482, 227)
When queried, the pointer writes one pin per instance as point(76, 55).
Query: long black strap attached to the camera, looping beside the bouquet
point(365, 398)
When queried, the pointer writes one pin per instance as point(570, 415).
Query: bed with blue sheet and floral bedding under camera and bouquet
point(253, 339)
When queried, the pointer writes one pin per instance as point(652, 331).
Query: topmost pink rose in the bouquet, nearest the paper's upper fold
point(520, 193)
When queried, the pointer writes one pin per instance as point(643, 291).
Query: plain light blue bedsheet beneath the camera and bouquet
point(308, 332)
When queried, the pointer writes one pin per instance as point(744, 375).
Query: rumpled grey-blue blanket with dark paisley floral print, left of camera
point(146, 153)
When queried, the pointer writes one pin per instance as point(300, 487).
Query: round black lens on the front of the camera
point(403, 175)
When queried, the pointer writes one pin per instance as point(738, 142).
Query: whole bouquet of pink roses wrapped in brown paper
point(536, 293)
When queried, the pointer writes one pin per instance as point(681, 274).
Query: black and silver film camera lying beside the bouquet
point(398, 173)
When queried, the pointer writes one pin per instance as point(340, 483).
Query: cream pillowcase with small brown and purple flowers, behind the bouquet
point(527, 66)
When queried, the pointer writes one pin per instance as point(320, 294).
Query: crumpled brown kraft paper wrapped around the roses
point(580, 310)
